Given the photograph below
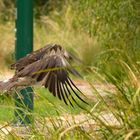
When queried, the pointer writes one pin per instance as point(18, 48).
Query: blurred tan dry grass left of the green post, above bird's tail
point(7, 44)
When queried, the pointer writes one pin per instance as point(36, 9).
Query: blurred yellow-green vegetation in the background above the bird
point(91, 27)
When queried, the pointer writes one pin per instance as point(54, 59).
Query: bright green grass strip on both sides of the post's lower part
point(46, 105)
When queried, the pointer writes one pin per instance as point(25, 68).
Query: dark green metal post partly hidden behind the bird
point(24, 45)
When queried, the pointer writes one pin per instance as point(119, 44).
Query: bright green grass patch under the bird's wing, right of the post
point(48, 105)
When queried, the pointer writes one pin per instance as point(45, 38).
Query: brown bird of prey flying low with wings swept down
point(50, 67)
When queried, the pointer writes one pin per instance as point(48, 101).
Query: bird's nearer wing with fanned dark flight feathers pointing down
point(52, 73)
